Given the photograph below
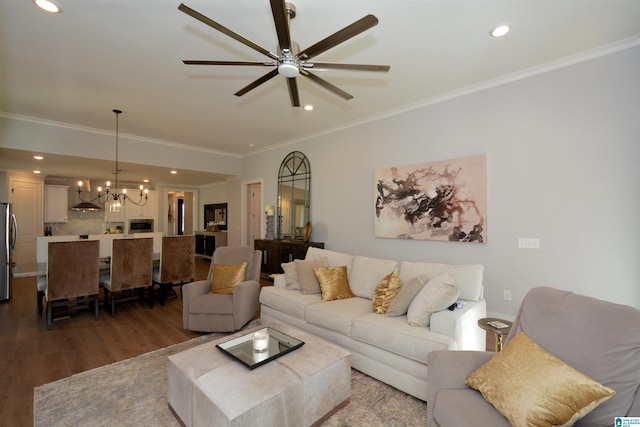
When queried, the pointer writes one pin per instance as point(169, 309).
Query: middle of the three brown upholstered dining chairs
point(131, 270)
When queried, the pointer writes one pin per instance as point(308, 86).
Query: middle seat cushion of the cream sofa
point(338, 315)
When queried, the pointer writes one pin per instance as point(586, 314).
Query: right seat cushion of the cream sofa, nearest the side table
point(395, 335)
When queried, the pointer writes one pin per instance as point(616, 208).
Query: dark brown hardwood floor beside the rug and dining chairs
point(32, 355)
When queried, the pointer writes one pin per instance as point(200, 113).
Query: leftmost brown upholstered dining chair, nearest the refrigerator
point(72, 275)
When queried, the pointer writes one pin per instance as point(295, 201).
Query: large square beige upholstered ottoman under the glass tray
point(205, 386)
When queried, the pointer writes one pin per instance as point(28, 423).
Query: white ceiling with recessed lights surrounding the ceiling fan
point(76, 66)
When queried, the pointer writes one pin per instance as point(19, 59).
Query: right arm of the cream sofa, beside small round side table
point(462, 325)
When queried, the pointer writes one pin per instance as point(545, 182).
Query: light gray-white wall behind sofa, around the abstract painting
point(562, 165)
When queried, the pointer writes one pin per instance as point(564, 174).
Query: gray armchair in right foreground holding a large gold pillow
point(598, 338)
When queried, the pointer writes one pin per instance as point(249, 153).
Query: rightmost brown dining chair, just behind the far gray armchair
point(177, 264)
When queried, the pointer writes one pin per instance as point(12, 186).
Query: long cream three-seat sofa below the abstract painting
point(386, 348)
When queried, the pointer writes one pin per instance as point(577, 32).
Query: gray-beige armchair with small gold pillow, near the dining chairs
point(204, 311)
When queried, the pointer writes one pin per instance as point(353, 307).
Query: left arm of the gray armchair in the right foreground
point(448, 370)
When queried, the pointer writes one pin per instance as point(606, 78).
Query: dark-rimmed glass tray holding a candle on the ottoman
point(241, 348)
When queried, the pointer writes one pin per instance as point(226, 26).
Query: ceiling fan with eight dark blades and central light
point(289, 62)
